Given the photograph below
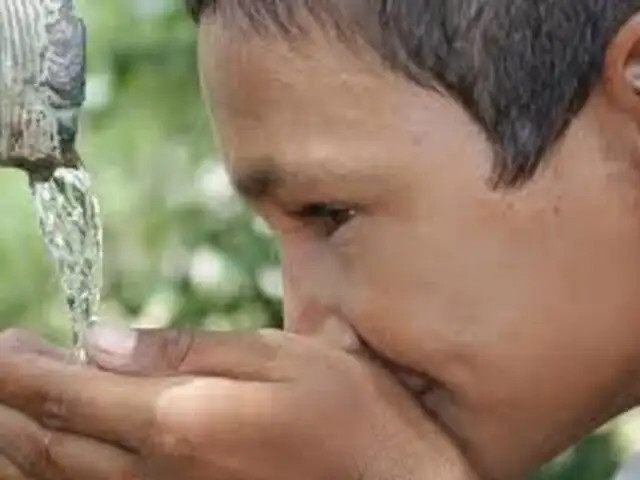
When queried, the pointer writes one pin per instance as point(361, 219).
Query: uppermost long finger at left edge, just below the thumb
point(80, 400)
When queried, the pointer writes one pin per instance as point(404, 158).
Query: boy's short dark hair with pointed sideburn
point(522, 68)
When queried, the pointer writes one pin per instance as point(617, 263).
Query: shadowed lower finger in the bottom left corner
point(33, 452)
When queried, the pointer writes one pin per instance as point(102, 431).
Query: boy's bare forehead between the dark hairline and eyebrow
point(315, 102)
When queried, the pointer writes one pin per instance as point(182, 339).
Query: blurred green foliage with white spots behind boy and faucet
point(180, 248)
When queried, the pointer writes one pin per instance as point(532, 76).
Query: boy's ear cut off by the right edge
point(621, 75)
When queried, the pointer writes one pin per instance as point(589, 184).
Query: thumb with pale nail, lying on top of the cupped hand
point(251, 355)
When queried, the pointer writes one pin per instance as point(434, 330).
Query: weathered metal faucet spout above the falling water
point(42, 84)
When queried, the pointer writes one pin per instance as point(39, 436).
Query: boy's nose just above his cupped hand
point(313, 297)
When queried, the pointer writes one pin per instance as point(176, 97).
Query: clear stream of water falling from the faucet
point(69, 220)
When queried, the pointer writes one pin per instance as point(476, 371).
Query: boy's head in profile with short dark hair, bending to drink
point(457, 183)
